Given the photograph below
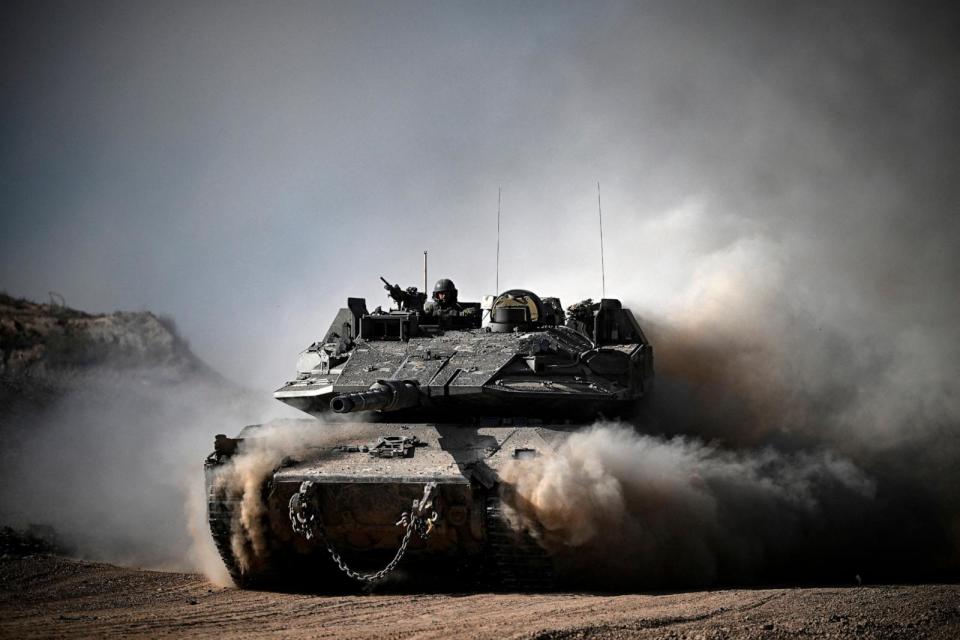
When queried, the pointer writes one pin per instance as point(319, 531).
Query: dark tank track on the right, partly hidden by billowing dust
point(515, 561)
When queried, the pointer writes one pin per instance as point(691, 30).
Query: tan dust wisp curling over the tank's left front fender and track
point(240, 481)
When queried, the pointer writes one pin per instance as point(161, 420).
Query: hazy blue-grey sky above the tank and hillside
point(245, 167)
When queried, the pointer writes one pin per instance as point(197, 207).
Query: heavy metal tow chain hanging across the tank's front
point(306, 520)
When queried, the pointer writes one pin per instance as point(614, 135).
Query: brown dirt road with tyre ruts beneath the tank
point(44, 596)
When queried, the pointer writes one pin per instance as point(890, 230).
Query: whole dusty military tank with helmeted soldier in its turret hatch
point(416, 409)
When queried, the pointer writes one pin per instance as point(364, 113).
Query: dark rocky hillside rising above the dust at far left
point(43, 339)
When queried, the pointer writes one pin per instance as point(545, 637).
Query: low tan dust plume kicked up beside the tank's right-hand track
point(667, 512)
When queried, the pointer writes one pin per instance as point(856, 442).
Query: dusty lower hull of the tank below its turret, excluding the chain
point(361, 492)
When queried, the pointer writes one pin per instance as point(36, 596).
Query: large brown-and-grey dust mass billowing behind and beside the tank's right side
point(783, 441)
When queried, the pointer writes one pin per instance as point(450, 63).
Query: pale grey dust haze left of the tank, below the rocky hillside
point(114, 463)
